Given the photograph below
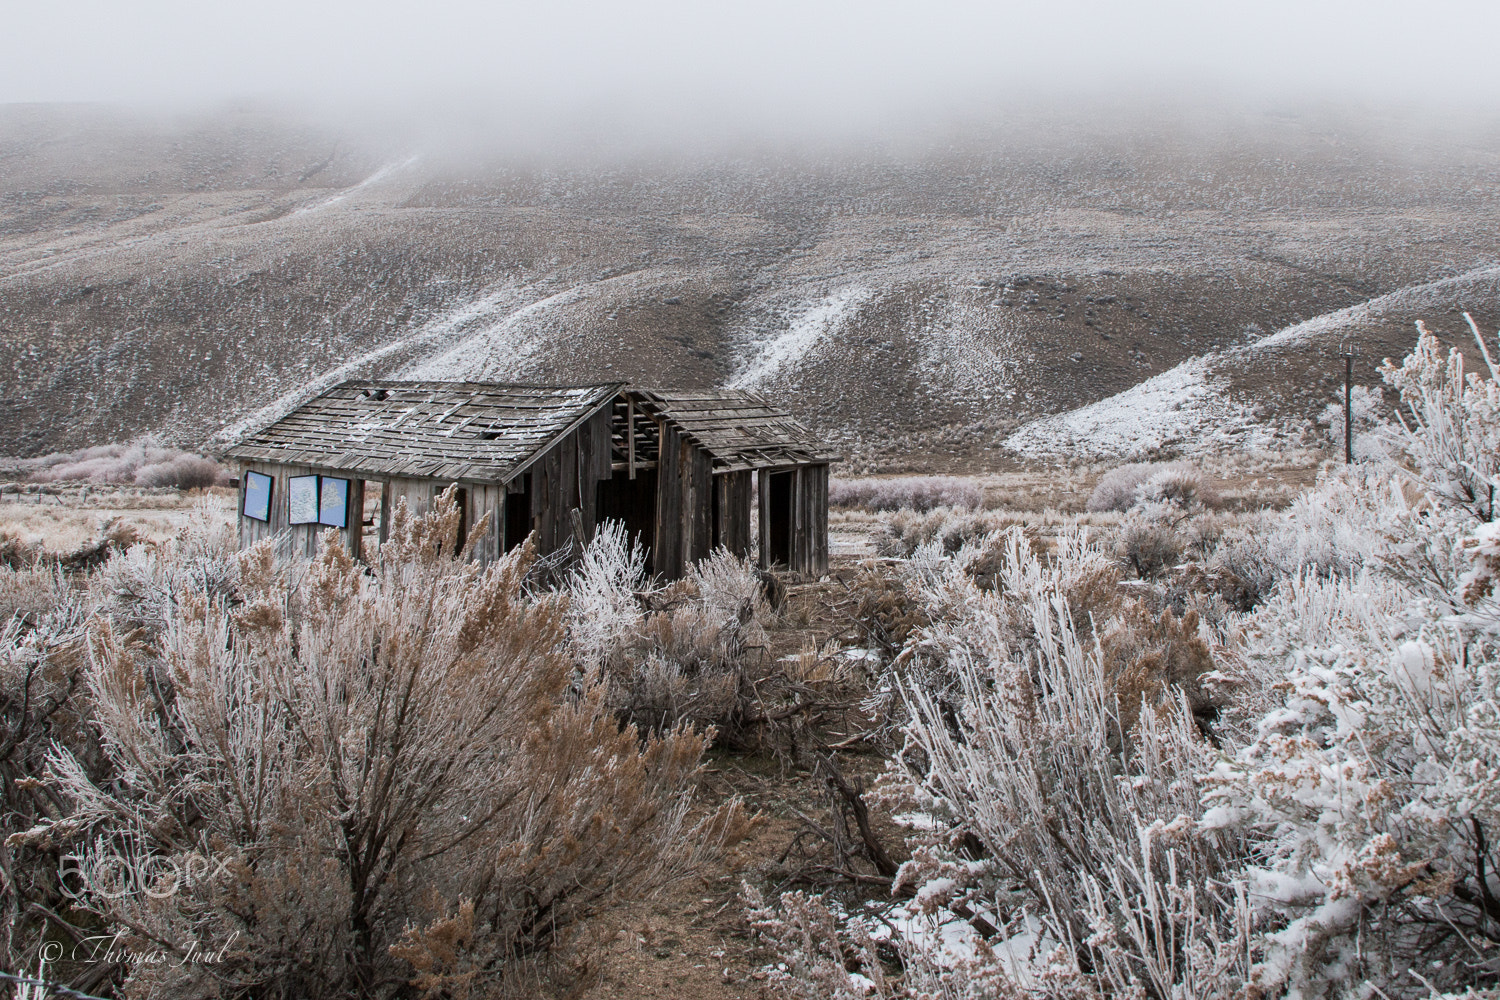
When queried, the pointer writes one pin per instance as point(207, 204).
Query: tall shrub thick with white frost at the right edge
point(1366, 725)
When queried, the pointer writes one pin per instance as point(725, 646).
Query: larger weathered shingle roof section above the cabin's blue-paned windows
point(478, 433)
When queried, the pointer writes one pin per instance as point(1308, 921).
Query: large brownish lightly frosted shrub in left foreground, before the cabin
point(386, 779)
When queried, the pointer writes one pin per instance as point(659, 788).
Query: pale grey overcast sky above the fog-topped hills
point(820, 58)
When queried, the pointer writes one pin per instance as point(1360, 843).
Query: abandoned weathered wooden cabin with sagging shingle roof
point(686, 473)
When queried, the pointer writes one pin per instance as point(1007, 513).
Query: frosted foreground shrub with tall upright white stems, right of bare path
point(1033, 725)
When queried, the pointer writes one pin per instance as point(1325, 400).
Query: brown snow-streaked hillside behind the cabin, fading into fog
point(935, 290)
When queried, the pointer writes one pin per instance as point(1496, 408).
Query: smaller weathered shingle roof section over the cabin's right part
point(742, 430)
